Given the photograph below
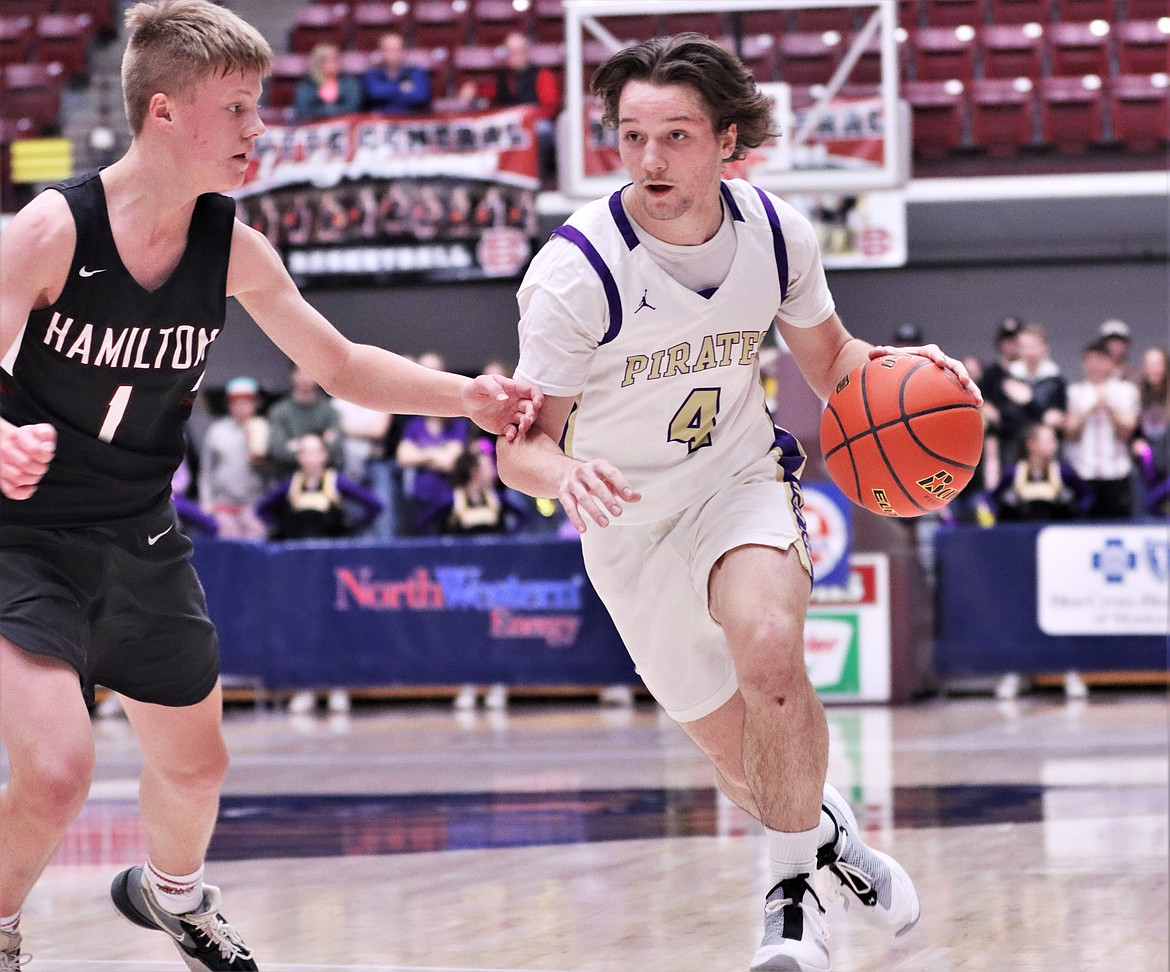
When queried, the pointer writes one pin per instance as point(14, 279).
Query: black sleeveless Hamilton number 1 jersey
point(115, 368)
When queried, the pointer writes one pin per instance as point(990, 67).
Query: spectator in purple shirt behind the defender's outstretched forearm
point(426, 456)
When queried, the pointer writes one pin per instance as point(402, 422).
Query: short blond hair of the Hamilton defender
point(177, 44)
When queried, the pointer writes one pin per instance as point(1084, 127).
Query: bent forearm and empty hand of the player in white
point(535, 464)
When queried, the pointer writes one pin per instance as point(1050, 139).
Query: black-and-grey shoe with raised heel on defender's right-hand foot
point(204, 940)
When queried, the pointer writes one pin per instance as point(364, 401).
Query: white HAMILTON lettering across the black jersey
point(102, 346)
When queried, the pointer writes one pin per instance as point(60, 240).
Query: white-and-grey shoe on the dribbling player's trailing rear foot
point(870, 884)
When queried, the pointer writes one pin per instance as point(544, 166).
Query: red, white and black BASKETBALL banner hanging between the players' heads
point(373, 198)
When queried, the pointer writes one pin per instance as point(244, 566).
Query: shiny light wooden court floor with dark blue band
point(570, 838)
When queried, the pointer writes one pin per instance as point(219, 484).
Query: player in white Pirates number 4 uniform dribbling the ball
point(642, 321)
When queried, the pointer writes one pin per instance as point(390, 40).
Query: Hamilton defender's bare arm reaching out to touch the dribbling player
point(360, 373)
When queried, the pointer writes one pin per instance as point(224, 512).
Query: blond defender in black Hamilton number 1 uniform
point(113, 293)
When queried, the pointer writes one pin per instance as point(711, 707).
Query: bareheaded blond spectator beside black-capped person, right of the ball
point(1035, 391)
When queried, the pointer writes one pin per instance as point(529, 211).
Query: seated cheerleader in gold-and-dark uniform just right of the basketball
point(1040, 486)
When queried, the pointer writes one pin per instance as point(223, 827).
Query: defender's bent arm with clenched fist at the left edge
point(36, 253)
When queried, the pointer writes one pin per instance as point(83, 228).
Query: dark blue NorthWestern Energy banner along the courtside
point(438, 612)
